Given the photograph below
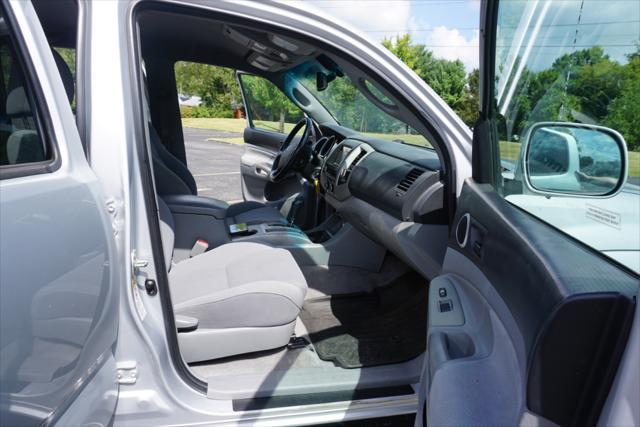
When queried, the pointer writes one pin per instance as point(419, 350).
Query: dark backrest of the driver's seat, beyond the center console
point(171, 175)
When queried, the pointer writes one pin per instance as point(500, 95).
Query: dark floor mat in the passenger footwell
point(385, 326)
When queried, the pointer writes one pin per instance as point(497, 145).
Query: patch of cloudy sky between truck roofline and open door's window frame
point(448, 27)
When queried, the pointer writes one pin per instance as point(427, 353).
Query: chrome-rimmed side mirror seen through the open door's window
point(574, 159)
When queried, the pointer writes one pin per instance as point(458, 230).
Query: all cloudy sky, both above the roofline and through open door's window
point(450, 27)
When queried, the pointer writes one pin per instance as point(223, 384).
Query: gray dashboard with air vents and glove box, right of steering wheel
point(392, 193)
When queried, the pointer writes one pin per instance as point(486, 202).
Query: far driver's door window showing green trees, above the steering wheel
point(269, 108)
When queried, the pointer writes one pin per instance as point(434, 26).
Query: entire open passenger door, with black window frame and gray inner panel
point(527, 323)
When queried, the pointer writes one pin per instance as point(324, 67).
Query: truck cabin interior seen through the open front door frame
point(320, 284)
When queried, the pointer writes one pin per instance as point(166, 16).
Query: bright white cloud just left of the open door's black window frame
point(450, 44)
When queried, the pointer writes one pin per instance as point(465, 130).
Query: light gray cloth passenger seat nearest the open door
point(239, 297)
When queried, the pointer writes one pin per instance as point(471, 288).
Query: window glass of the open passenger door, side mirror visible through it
point(567, 90)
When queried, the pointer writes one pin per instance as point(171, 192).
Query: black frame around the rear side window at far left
point(38, 104)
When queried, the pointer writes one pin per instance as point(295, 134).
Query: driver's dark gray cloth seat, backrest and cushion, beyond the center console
point(173, 177)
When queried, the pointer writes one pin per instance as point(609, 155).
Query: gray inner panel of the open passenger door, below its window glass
point(545, 321)
